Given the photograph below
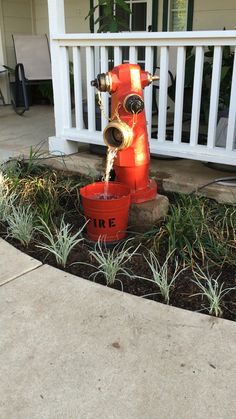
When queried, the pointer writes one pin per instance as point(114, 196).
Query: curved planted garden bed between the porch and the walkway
point(196, 241)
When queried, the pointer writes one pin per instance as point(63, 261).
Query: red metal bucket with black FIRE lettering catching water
point(108, 217)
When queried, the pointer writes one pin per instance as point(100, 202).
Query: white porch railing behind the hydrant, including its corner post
point(91, 53)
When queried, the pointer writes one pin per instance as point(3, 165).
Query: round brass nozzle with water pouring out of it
point(118, 135)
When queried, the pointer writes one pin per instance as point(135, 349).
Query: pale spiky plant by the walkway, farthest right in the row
point(211, 290)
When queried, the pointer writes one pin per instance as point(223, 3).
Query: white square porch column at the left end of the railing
point(60, 79)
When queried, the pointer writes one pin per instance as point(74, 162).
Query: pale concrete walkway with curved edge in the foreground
point(73, 349)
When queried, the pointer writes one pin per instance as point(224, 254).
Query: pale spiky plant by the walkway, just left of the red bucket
point(60, 240)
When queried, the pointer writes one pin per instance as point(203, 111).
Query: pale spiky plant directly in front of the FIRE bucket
point(111, 263)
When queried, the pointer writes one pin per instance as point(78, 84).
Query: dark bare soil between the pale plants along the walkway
point(181, 294)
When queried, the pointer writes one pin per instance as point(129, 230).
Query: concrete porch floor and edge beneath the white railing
point(18, 134)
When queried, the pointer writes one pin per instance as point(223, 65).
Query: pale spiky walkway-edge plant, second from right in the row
point(161, 276)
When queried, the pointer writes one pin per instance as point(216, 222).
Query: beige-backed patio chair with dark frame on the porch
point(33, 67)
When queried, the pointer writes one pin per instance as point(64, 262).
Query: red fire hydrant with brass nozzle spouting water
point(127, 131)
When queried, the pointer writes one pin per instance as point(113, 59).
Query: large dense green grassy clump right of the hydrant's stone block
point(199, 231)
